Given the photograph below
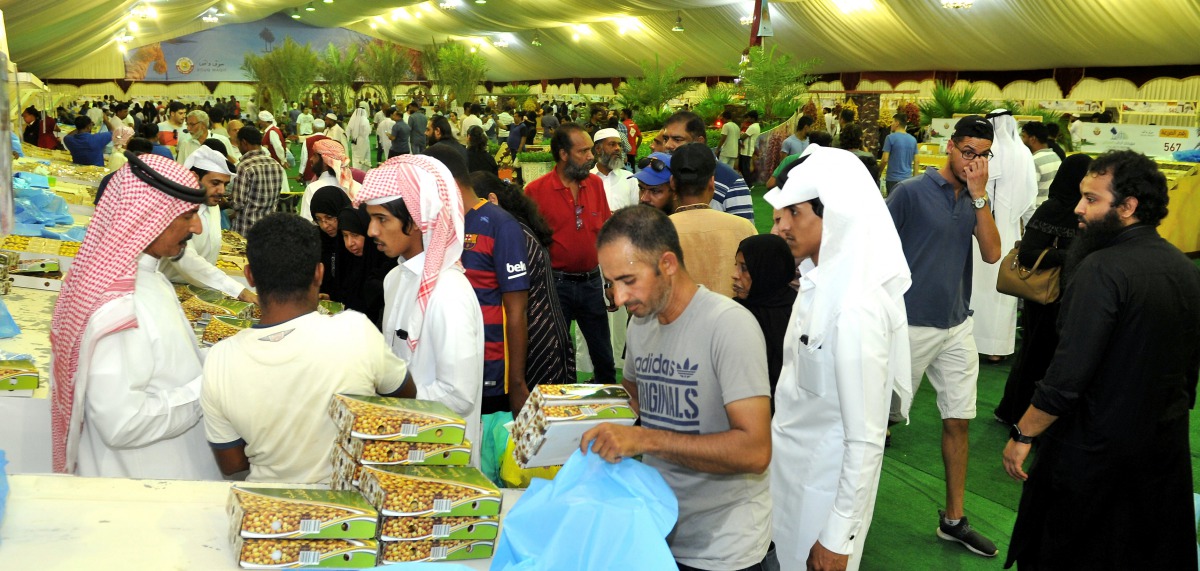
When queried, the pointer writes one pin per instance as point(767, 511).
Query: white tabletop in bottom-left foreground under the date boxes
point(98, 524)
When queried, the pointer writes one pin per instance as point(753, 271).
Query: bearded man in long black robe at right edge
point(1111, 486)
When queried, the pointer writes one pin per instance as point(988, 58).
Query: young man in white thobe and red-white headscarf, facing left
point(431, 316)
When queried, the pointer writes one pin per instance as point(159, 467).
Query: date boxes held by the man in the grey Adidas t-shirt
point(555, 418)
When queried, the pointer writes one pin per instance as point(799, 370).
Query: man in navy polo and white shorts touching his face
point(937, 215)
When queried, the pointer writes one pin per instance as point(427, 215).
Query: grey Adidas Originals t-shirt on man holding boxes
point(687, 372)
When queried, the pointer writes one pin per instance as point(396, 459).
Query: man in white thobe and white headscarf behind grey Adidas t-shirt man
point(845, 350)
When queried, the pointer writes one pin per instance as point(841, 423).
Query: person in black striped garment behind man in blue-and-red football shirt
point(551, 359)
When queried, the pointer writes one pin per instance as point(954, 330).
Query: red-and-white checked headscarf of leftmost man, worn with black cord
point(133, 215)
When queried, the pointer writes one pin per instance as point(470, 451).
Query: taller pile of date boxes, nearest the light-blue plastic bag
point(410, 459)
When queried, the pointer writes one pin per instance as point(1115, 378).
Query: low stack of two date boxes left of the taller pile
point(289, 528)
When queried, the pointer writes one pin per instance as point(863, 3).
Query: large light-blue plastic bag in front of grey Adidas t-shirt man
point(625, 512)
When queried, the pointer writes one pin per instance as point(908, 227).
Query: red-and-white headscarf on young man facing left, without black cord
point(436, 205)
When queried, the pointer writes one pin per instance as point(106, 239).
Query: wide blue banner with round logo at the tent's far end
point(218, 55)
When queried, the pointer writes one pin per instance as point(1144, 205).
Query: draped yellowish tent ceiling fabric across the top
point(910, 35)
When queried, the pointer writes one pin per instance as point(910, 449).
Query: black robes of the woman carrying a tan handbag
point(1054, 226)
